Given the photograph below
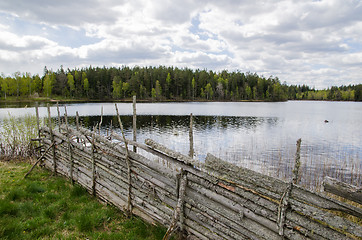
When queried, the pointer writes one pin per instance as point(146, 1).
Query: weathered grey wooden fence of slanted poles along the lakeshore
point(210, 200)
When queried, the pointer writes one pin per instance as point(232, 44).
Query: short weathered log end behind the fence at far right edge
point(342, 189)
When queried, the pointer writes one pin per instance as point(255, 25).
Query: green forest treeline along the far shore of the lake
point(164, 83)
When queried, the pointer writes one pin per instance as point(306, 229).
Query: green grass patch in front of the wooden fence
point(47, 207)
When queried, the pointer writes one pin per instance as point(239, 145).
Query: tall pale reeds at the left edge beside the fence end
point(15, 136)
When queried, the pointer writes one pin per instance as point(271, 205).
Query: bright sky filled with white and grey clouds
point(317, 43)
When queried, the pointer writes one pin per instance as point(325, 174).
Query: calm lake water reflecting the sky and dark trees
point(260, 136)
